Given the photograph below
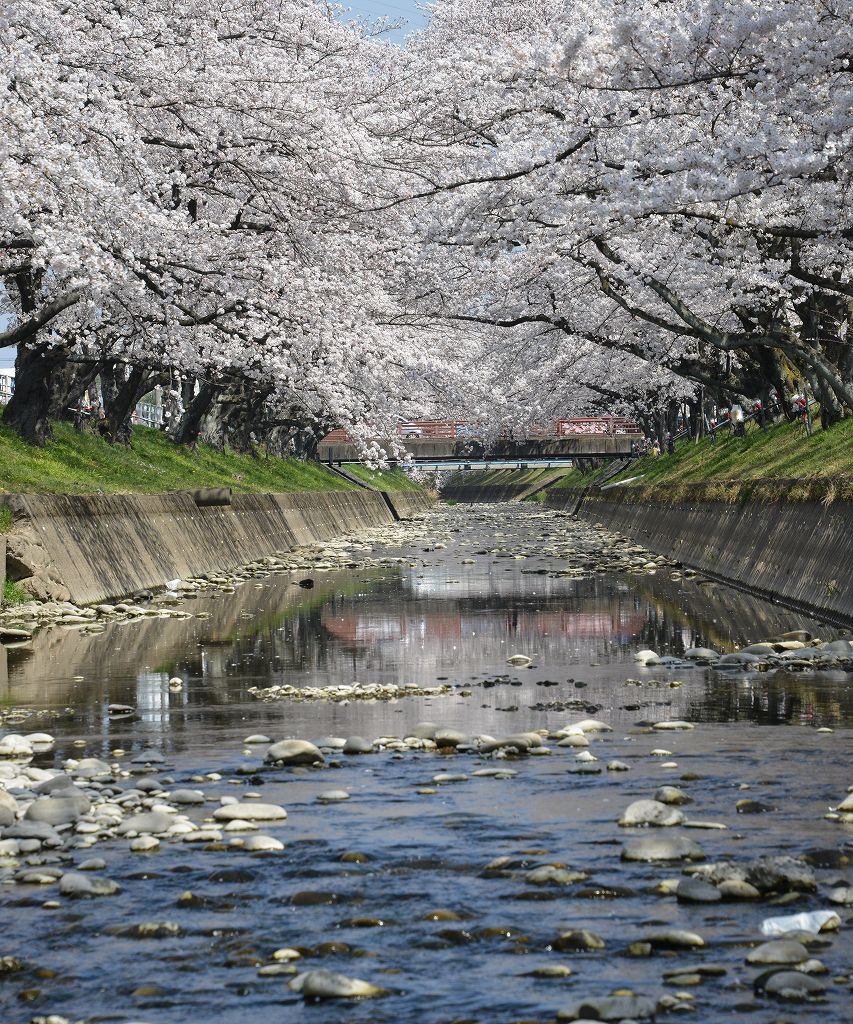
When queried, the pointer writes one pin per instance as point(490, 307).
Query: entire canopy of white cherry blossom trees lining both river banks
point(532, 210)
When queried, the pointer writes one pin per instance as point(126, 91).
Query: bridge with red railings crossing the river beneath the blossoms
point(444, 444)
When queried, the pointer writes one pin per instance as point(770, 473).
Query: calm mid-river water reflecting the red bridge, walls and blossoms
point(400, 623)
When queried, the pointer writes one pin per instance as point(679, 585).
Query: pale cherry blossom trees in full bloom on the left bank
point(184, 199)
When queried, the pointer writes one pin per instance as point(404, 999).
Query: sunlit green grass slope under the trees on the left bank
point(84, 463)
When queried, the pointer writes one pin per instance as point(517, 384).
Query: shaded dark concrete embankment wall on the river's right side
point(799, 552)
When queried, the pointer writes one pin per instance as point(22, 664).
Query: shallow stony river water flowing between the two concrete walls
point(391, 886)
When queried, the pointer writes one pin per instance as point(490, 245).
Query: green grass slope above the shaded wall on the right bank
point(781, 453)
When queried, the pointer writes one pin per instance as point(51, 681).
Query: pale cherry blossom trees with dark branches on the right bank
point(669, 181)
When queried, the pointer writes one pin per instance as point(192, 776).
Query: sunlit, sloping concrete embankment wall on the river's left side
point(97, 547)
